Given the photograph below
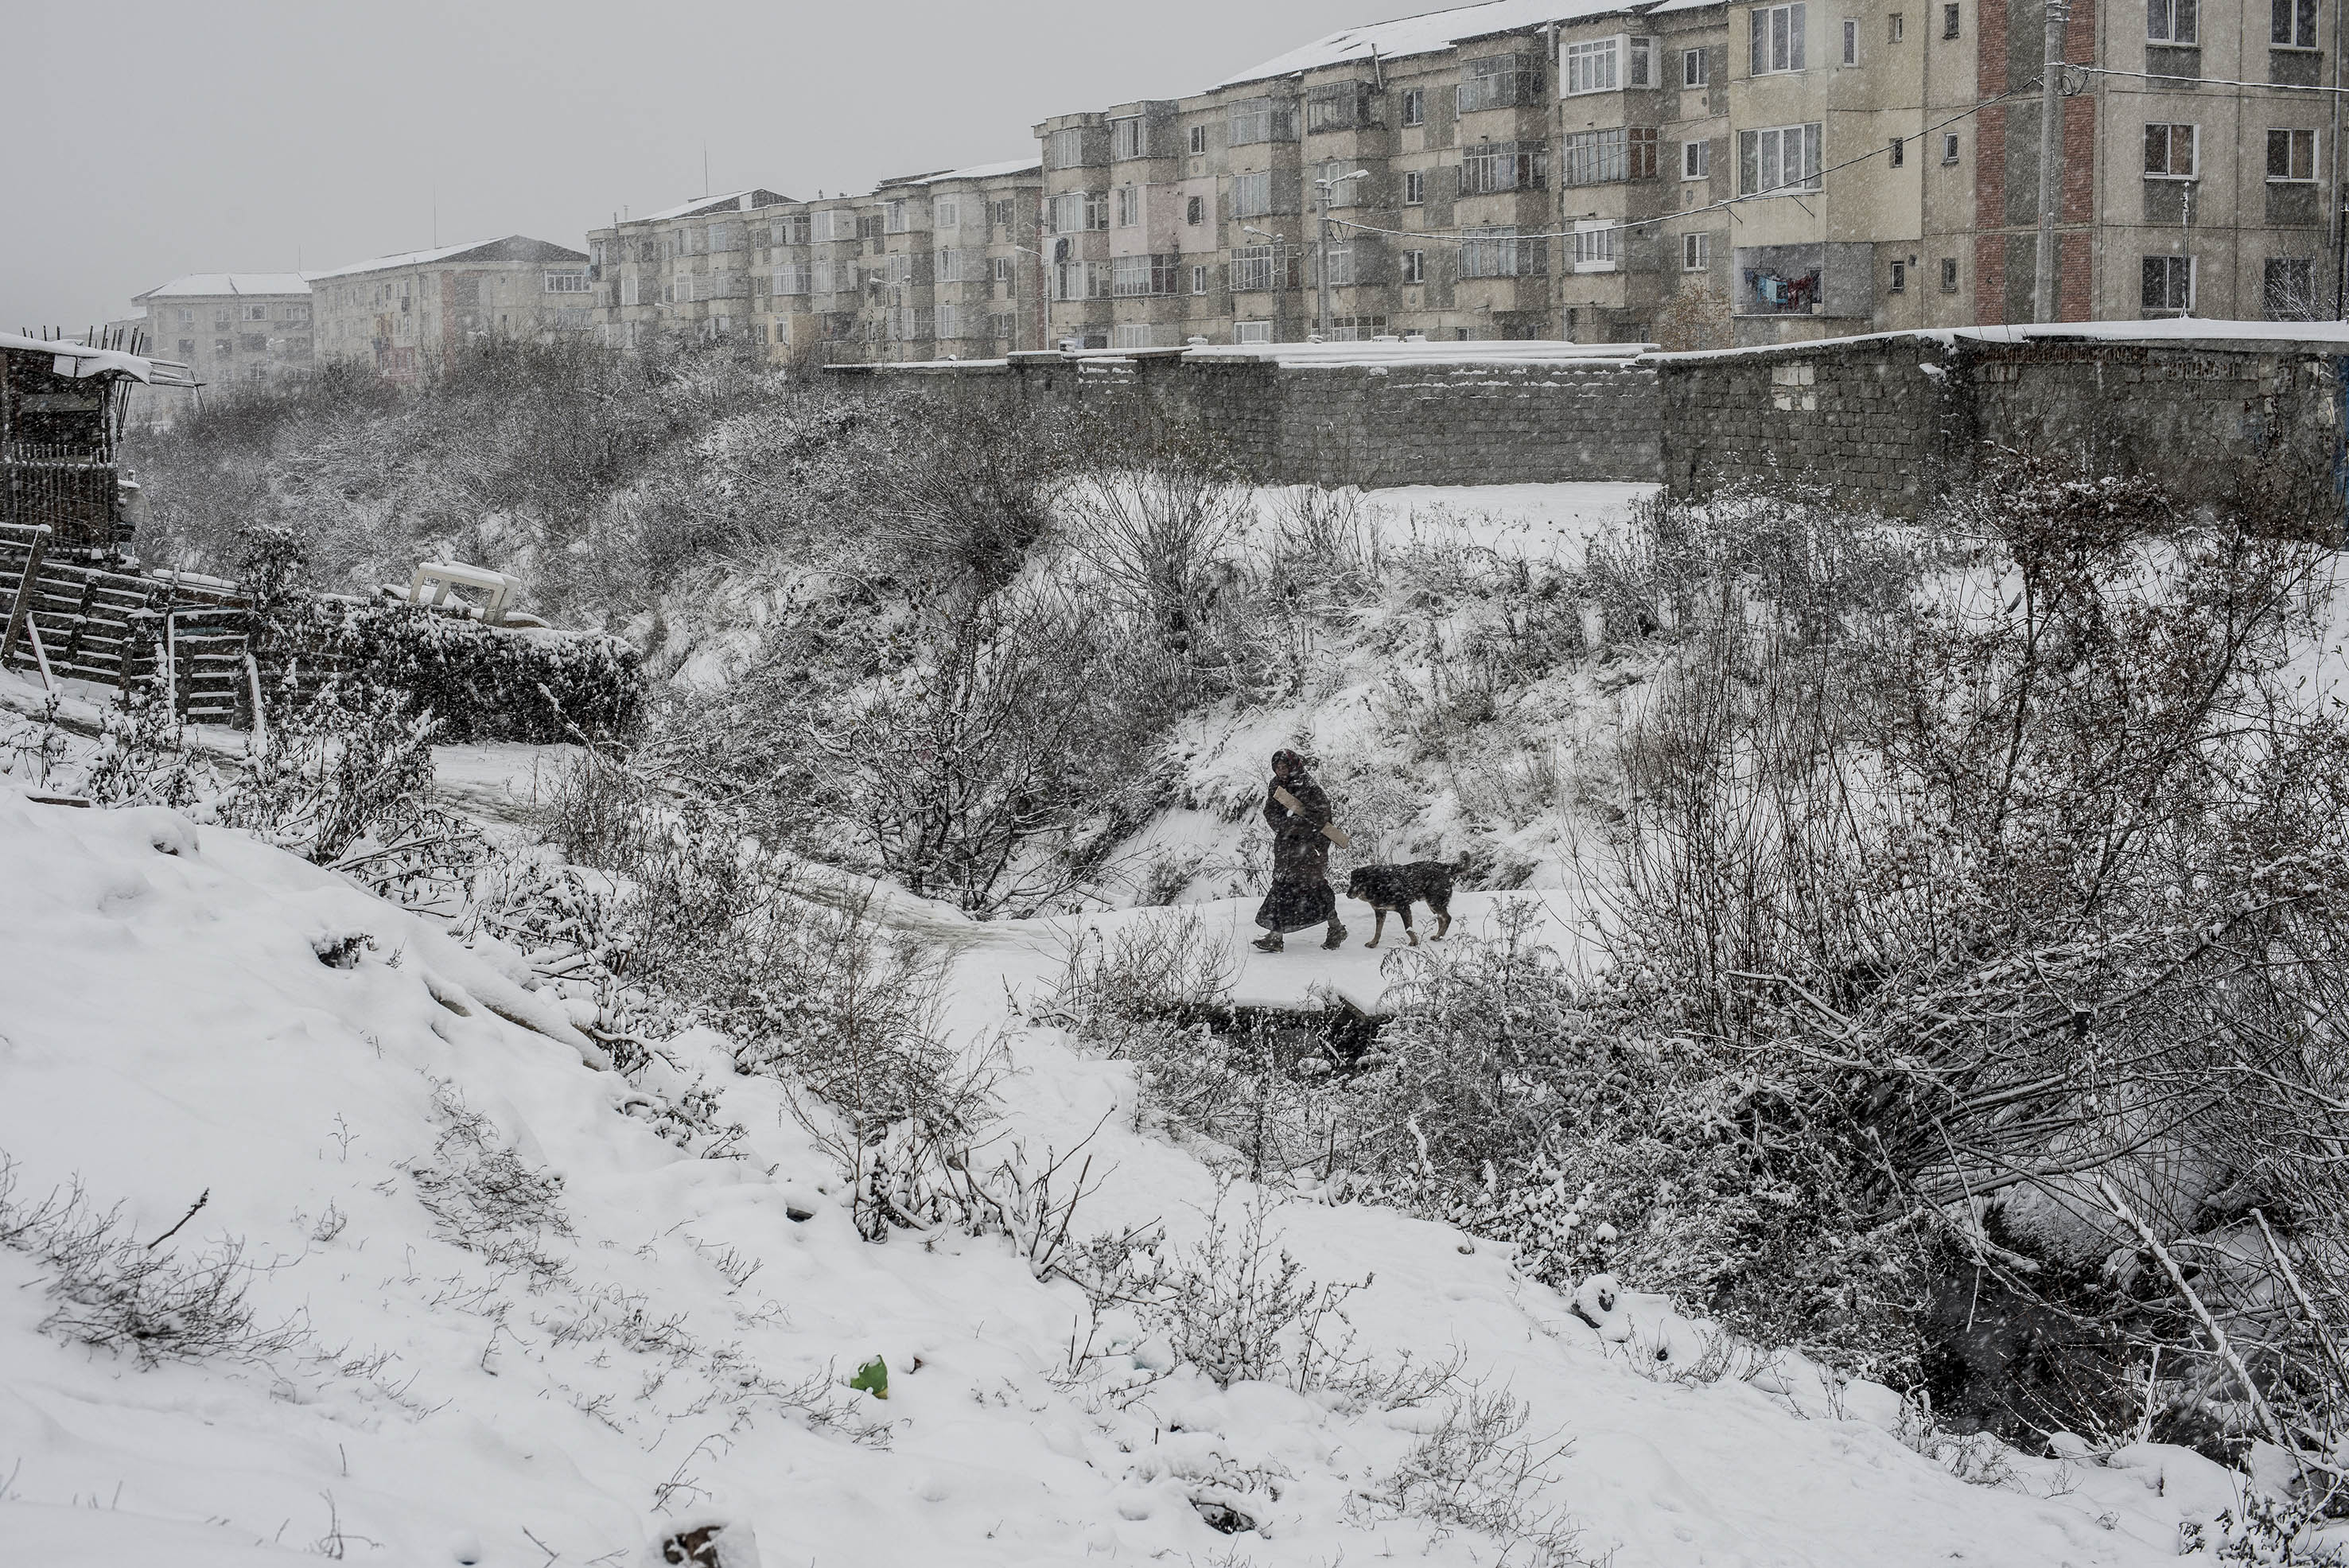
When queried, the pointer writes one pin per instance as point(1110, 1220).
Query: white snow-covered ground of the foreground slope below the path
point(520, 1386)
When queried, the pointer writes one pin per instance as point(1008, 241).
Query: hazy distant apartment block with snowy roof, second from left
point(401, 314)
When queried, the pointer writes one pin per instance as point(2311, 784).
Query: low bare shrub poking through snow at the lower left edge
point(144, 1301)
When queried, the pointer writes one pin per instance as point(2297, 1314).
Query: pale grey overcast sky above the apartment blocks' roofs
point(142, 140)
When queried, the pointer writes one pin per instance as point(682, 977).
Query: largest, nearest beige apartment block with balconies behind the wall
point(1707, 173)
